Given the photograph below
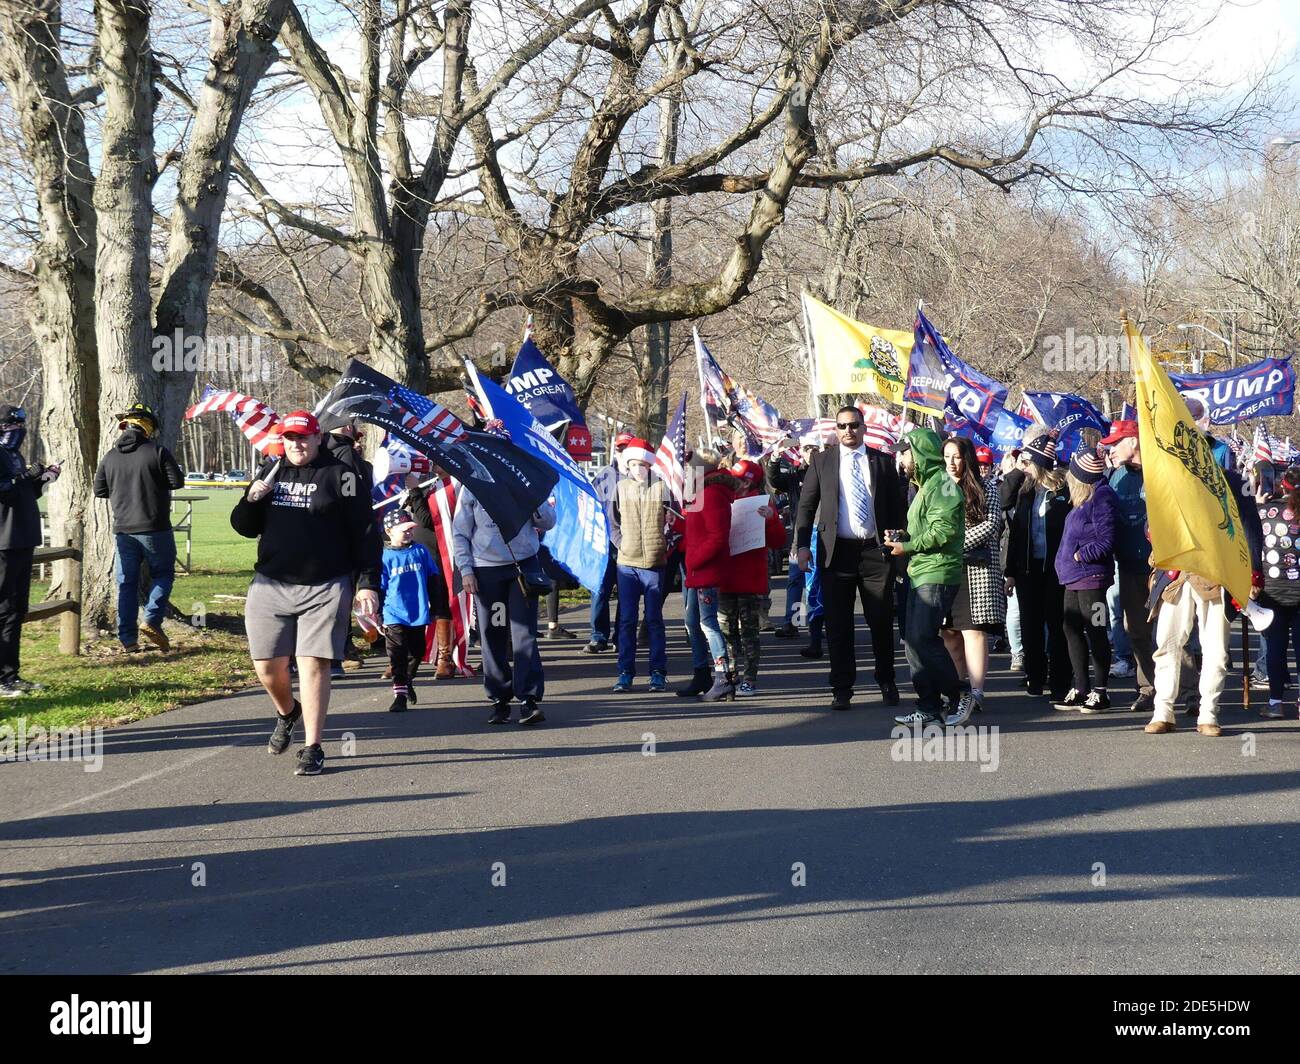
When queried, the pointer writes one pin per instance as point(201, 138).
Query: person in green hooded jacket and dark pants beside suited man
point(937, 526)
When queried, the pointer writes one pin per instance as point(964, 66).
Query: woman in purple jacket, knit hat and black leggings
point(1085, 565)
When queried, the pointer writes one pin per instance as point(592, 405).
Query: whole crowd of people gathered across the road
point(1045, 556)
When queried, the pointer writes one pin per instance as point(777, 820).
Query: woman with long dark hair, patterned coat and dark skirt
point(981, 604)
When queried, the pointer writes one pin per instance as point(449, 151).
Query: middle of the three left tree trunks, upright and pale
point(124, 217)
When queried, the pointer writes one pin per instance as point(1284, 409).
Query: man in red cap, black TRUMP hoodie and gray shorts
point(315, 530)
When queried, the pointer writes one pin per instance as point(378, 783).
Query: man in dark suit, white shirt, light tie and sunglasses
point(852, 494)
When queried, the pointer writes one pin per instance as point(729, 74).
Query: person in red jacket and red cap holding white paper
point(744, 585)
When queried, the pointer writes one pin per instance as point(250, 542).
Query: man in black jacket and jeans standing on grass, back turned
point(138, 478)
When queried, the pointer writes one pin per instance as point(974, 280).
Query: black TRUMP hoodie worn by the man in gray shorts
point(315, 526)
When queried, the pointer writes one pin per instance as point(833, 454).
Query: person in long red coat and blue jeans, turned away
point(708, 540)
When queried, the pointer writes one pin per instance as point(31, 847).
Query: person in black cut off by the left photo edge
point(20, 537)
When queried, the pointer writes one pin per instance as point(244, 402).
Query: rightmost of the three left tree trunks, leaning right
point(244, 47)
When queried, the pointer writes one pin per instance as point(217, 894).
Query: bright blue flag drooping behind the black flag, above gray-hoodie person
point(580, 540)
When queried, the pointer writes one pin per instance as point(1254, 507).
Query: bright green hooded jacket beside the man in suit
point(937, 520)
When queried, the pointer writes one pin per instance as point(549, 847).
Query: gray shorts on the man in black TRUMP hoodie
point(307, 621)
